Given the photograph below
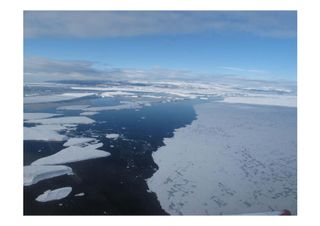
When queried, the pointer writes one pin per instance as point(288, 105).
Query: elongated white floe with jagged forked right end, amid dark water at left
point(73, 154)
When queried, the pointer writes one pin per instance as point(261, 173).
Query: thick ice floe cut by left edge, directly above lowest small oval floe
point(33, 174)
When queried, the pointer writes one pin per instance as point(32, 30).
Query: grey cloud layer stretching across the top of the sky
point(92, 24)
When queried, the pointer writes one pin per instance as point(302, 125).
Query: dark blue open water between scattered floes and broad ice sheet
point(114, 185)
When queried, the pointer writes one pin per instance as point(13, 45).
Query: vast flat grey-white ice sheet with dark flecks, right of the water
point(233, 159)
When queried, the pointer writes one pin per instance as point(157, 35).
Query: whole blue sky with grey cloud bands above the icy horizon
point(160, 44)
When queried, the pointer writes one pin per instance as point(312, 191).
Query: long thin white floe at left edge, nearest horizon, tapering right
point(54, 98)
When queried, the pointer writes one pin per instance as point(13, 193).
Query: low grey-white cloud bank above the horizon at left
point(38, 69)
